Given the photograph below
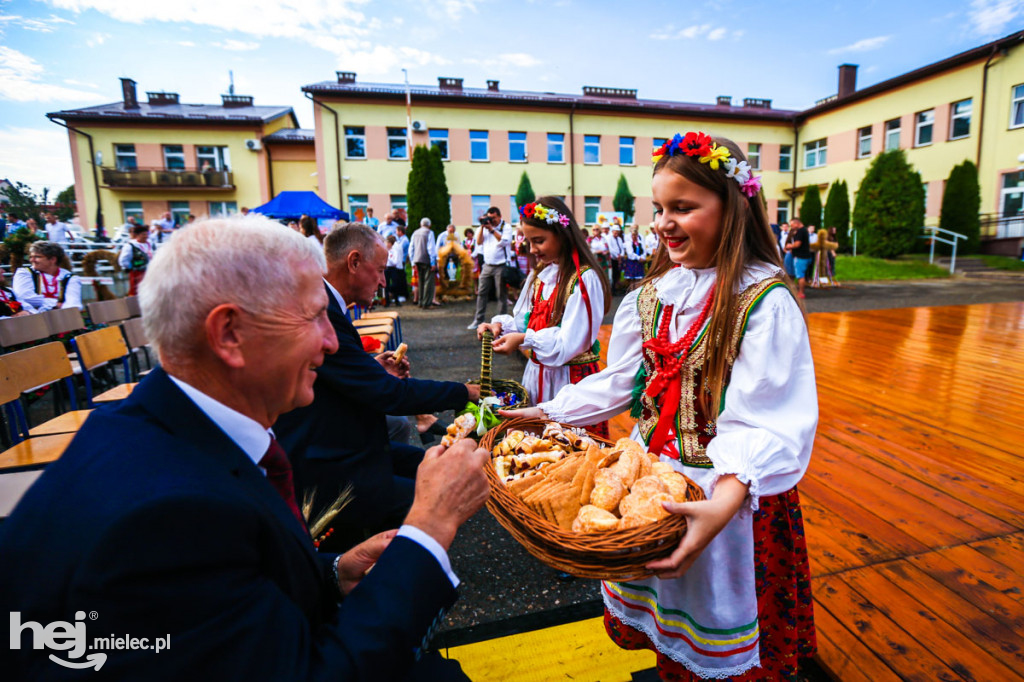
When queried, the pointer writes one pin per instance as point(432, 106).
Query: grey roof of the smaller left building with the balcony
point(177, 112)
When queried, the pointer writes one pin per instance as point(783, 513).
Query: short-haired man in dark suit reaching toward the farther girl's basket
point(343, 438)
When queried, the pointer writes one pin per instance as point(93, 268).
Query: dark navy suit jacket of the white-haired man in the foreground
point(157, 522)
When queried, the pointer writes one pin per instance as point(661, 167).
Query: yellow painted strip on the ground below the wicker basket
point(579, 652)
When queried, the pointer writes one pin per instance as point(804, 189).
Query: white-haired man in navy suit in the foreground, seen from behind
point(173, 514)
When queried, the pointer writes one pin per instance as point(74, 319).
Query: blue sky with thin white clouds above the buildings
point(65, 54)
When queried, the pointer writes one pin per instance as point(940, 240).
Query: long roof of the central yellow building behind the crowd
point(620, 101)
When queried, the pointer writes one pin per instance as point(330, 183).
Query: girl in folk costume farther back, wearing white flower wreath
point(557, 320)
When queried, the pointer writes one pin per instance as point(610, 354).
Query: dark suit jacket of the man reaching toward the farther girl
point(346, 423)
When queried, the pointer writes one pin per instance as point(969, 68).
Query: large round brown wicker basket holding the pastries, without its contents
point(611, 556)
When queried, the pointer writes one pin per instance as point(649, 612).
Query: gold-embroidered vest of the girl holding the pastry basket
point(694, 429)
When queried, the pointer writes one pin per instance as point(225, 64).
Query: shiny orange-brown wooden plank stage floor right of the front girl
point(914, 502)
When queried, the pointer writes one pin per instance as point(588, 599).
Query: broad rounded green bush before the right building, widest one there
point(890, 209)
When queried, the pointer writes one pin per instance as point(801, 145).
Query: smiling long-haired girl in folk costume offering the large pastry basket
point(715, 349)
